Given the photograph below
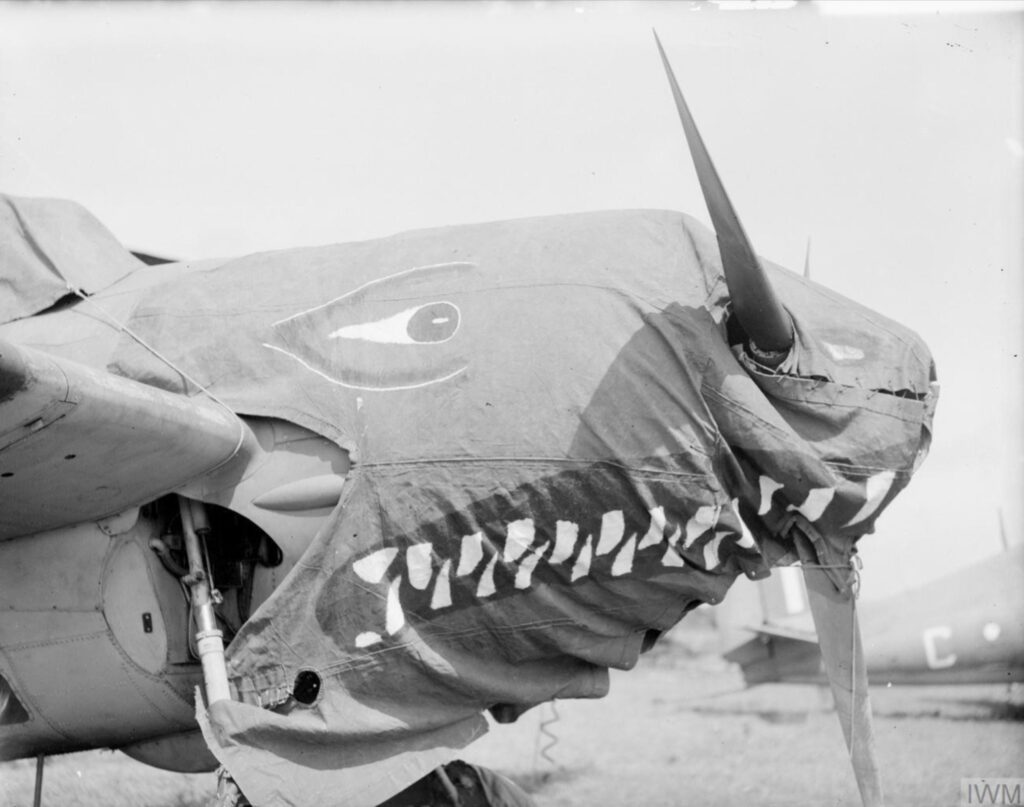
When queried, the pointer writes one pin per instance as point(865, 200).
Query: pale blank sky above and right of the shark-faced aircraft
point(893, 142)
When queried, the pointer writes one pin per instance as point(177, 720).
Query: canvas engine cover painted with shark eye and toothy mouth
point(552, 441)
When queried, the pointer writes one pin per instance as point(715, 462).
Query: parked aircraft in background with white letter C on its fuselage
point(966, 628)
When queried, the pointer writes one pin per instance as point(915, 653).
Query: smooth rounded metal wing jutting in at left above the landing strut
point(77, 444)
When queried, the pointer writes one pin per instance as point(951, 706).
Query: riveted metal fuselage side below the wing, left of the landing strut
point(88, 644)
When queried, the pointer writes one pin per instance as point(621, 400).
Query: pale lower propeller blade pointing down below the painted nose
point(839, 636)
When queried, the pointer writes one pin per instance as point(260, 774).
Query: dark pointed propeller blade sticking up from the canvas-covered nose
point(754, 301)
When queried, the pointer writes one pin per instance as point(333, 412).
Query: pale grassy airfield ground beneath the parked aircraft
point(678, 731)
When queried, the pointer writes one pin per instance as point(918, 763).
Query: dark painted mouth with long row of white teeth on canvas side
point(541, 536)
